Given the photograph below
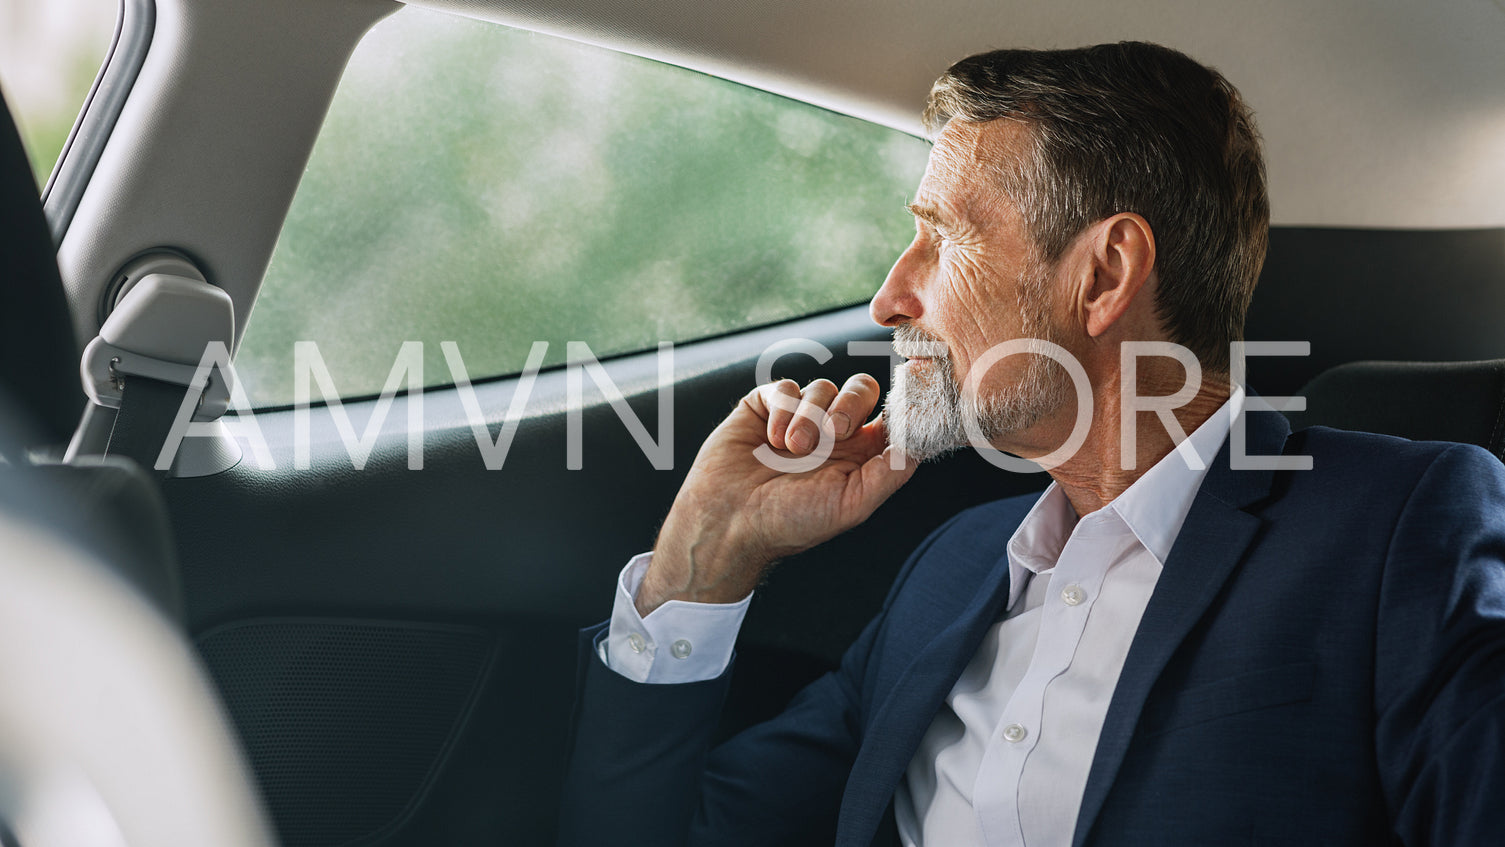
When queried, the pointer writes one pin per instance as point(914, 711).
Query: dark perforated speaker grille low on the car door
point(345, 721)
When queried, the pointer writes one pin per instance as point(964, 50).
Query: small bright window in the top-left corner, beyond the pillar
point(50, 55)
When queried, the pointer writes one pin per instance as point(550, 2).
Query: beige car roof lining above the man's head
point(1349, 94)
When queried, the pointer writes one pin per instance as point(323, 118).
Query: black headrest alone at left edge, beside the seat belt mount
point(38, 351)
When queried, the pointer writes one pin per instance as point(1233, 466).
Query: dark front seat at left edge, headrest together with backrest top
point(111, 508)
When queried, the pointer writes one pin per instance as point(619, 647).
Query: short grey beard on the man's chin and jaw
point(926, 413)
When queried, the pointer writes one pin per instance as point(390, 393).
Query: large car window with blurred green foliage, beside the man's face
point(496, 187)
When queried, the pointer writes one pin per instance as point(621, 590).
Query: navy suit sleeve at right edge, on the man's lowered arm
point(1441, 657)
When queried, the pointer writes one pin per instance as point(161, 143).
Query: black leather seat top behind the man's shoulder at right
point(1453, 401)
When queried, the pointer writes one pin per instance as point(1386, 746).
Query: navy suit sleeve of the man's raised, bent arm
point(640, 768)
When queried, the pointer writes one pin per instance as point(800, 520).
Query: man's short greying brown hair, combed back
point(1139, 129)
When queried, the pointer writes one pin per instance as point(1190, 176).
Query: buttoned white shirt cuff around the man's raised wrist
point(678, 643)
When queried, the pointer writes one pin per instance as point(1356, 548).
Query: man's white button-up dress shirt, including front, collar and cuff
point(1008, 757)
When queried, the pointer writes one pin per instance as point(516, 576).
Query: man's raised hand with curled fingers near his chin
point(737, 515)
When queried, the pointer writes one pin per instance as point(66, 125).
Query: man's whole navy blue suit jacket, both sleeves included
point(1322, 663)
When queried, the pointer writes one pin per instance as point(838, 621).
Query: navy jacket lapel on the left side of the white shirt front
point(907, 712)
